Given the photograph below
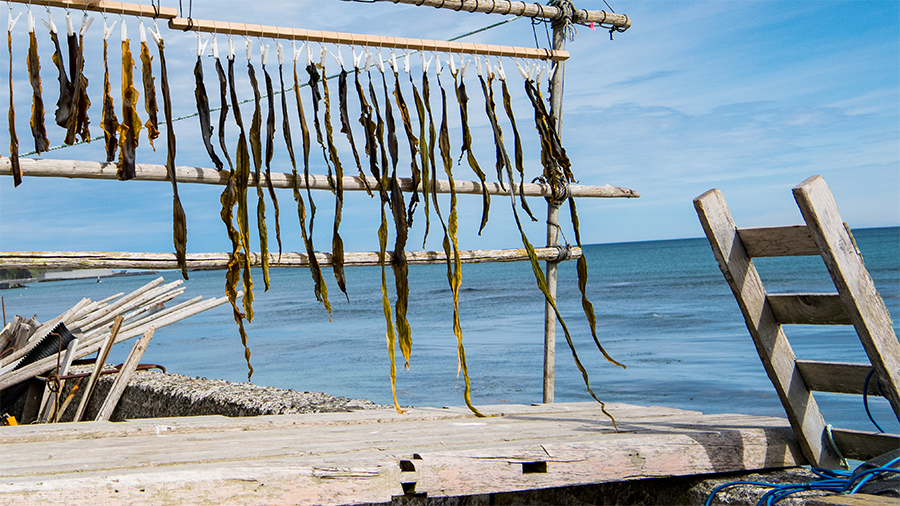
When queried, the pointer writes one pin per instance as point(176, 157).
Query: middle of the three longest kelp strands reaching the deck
point(454, 275)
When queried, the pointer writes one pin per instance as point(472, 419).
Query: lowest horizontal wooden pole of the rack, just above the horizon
point(123, 260)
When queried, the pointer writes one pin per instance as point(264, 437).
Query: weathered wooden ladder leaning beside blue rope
point(856, 302)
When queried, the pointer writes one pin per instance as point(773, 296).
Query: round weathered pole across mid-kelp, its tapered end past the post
point(77, 169)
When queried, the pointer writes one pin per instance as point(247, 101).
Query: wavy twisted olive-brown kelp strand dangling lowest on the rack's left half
point(228, 200)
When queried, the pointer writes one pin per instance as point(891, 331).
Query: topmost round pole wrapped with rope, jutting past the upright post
point(530, 10)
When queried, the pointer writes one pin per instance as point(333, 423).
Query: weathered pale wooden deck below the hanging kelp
point(374, 456)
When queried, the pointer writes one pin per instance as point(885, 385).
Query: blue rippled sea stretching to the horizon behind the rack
point(663, 309)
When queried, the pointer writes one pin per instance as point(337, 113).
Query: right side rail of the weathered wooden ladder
point(855, 286)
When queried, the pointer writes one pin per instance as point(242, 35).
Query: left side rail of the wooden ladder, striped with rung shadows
point(772, 345)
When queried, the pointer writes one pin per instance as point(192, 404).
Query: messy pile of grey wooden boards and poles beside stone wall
point(94, 327)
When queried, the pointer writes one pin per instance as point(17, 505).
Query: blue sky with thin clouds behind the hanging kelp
point(751, 97)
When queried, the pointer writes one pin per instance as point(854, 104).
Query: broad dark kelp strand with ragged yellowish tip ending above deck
point(398, 259)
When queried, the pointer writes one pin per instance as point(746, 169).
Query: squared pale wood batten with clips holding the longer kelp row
point(355, 39)
